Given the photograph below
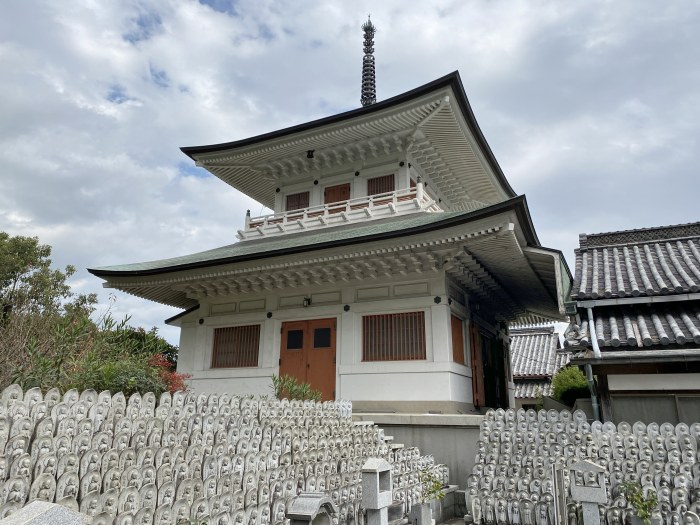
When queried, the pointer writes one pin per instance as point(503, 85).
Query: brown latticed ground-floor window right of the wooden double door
point(393, 337)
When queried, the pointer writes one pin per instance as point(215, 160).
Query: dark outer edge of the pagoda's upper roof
point(452, 80)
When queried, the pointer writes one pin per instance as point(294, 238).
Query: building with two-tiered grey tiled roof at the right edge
point(637, 297)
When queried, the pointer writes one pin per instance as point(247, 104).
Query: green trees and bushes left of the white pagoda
point(49, 339)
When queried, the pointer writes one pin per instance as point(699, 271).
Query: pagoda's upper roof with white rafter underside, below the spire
point(433, 123)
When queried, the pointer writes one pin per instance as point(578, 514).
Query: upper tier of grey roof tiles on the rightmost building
point(646, 262)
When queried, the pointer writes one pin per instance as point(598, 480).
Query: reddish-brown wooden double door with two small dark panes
point(307, 353)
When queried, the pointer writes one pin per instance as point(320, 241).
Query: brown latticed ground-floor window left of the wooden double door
point(236, 346)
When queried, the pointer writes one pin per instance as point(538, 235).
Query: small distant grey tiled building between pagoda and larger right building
point(536, 356)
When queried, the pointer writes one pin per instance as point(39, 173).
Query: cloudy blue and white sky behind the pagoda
point(592, 109)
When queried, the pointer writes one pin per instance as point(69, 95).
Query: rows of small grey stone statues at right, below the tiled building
point(512, 481)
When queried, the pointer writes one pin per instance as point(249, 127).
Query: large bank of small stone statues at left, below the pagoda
point(217, 458)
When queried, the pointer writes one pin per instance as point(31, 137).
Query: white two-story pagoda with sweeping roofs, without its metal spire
point(395, 257)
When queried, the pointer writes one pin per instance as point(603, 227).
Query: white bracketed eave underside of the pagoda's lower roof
point(477, 250)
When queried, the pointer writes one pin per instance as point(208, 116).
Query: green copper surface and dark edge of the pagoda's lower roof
point(317, 239)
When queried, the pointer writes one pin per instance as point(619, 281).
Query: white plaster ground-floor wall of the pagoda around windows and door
point(437, 378)
